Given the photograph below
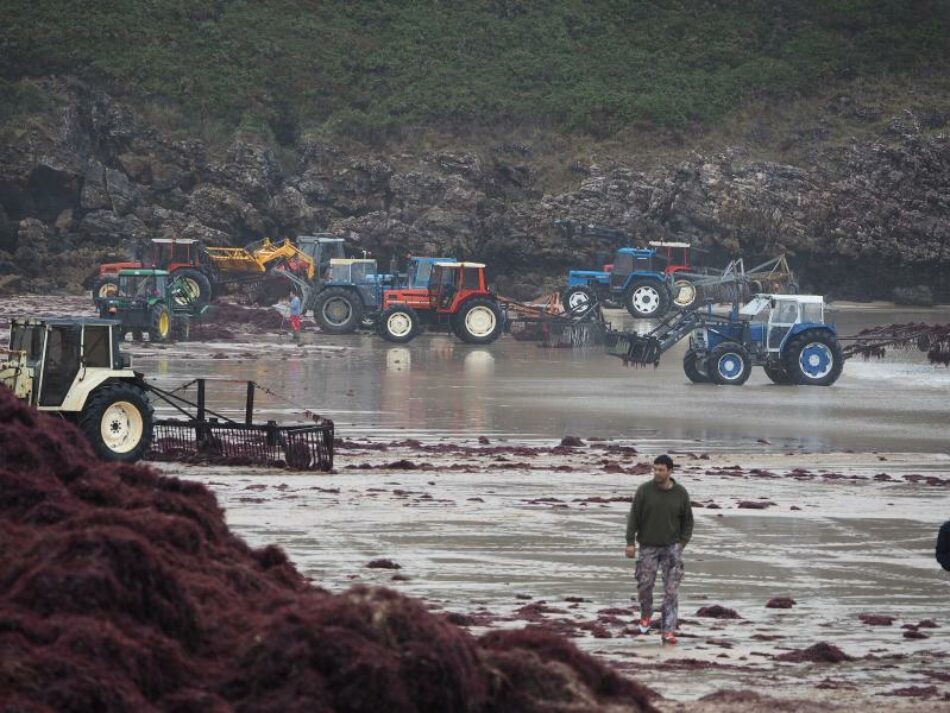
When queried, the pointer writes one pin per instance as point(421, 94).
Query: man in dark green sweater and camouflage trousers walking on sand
point(661, 520)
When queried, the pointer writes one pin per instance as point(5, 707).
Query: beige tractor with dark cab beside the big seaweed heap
point(71, 366)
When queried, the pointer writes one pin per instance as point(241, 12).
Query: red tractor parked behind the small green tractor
point(183, 258)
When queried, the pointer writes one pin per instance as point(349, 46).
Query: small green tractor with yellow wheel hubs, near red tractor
point(149, 302)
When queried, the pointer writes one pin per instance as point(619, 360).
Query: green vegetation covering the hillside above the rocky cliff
point(360, 68)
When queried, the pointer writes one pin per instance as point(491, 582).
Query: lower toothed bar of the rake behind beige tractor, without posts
point(306, 447)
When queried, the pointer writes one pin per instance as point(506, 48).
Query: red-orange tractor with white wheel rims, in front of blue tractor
point(457, 299)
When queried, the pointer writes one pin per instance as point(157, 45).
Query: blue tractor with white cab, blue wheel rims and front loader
point(784, 334)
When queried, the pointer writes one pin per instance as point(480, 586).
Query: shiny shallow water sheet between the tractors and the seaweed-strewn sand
point(438, 386)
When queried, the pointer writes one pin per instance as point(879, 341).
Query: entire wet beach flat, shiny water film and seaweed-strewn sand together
point(487, 533)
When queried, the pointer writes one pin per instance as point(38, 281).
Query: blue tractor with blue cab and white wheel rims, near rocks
point(637, 280)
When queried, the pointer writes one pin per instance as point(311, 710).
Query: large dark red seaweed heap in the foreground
point(123, 590)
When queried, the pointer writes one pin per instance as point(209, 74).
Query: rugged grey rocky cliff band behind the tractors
point(84, 177)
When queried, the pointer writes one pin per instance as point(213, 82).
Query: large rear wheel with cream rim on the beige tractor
point(118, 420)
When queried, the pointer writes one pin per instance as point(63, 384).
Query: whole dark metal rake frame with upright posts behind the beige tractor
point(204, 436)
